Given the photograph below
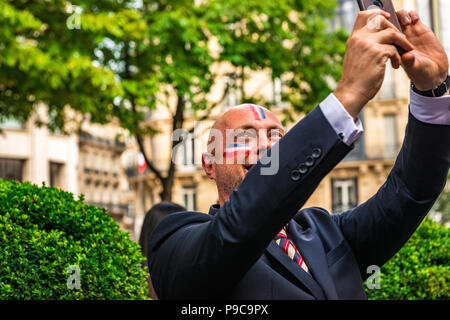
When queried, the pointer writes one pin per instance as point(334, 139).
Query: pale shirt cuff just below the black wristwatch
point(430, 110)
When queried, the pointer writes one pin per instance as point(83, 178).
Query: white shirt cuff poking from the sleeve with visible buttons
point(341, 121)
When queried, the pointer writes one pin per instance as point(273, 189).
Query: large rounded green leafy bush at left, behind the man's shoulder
point(44, 231)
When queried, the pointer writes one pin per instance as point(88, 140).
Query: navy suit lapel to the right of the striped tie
point(310, 247)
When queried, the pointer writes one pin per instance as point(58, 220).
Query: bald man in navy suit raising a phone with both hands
point(255, 244)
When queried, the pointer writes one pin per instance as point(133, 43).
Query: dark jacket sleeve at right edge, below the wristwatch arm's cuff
point(379, 227)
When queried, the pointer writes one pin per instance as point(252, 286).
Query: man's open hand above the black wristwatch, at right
point(426, 65)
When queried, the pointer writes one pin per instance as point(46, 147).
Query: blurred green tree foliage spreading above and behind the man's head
point(126, 57)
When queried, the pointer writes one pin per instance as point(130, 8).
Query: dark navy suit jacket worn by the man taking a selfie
point(230, 253)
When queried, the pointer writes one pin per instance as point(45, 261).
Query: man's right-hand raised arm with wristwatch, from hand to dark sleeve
point(378, 228)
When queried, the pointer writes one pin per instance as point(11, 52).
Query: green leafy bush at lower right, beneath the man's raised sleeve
point(420, 270)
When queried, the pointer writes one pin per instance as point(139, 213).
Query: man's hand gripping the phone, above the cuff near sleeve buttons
point(369, 47)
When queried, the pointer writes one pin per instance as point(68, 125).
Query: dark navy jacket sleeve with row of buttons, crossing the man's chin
point(208, 258)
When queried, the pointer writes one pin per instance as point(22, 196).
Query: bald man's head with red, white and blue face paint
point(238, 139)
